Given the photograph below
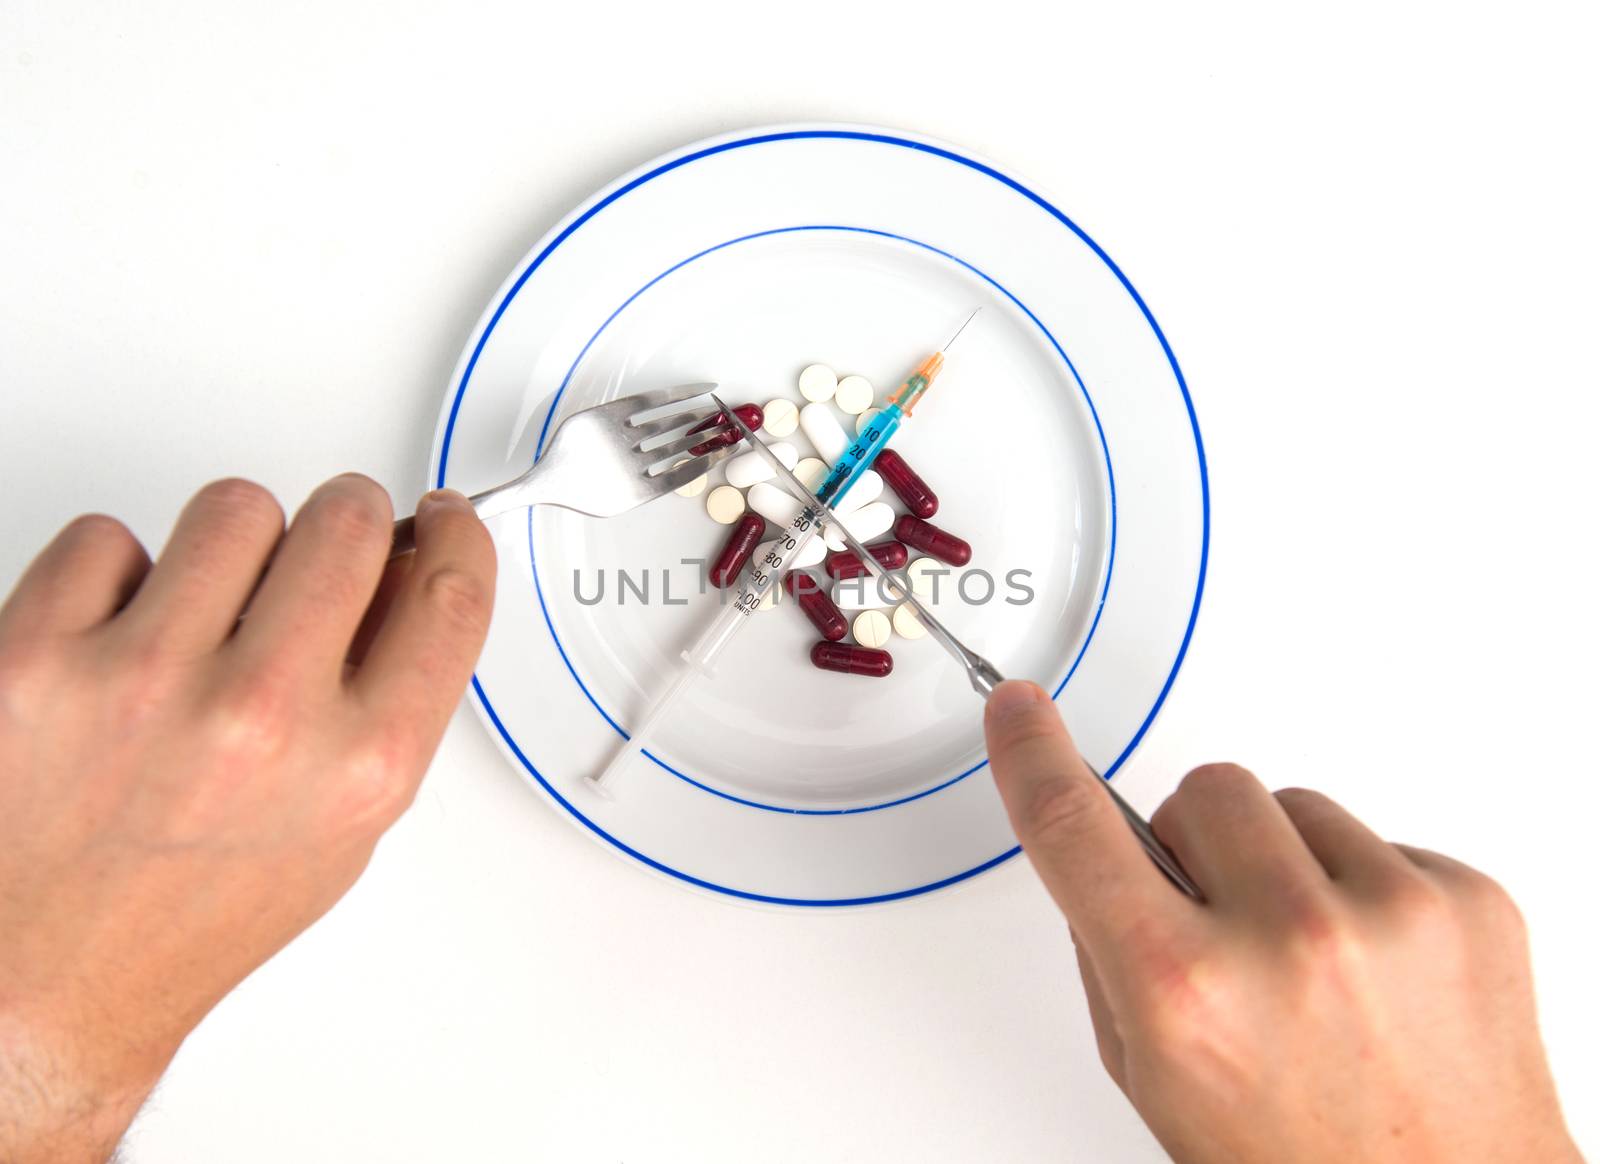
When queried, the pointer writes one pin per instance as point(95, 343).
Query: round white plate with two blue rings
point(1062, 442)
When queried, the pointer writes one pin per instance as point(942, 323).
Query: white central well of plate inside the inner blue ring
point(626, 596)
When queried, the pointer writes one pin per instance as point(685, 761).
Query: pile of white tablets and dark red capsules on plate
point(748, 501)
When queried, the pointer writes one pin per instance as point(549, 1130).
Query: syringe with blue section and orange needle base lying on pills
point(762, 576)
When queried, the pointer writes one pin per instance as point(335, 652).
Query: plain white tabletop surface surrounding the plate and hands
point(252, 239)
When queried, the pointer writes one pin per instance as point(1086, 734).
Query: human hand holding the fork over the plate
point(183, 792)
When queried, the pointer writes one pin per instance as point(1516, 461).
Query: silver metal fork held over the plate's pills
point(598, 461)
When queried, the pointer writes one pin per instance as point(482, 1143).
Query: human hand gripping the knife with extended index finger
point(1337, 999)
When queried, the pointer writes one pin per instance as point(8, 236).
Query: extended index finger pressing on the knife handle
point(1082, 848)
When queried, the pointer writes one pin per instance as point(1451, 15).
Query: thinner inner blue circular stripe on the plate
point(567, 380)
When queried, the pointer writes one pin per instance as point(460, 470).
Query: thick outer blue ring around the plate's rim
point(1042, 204)
